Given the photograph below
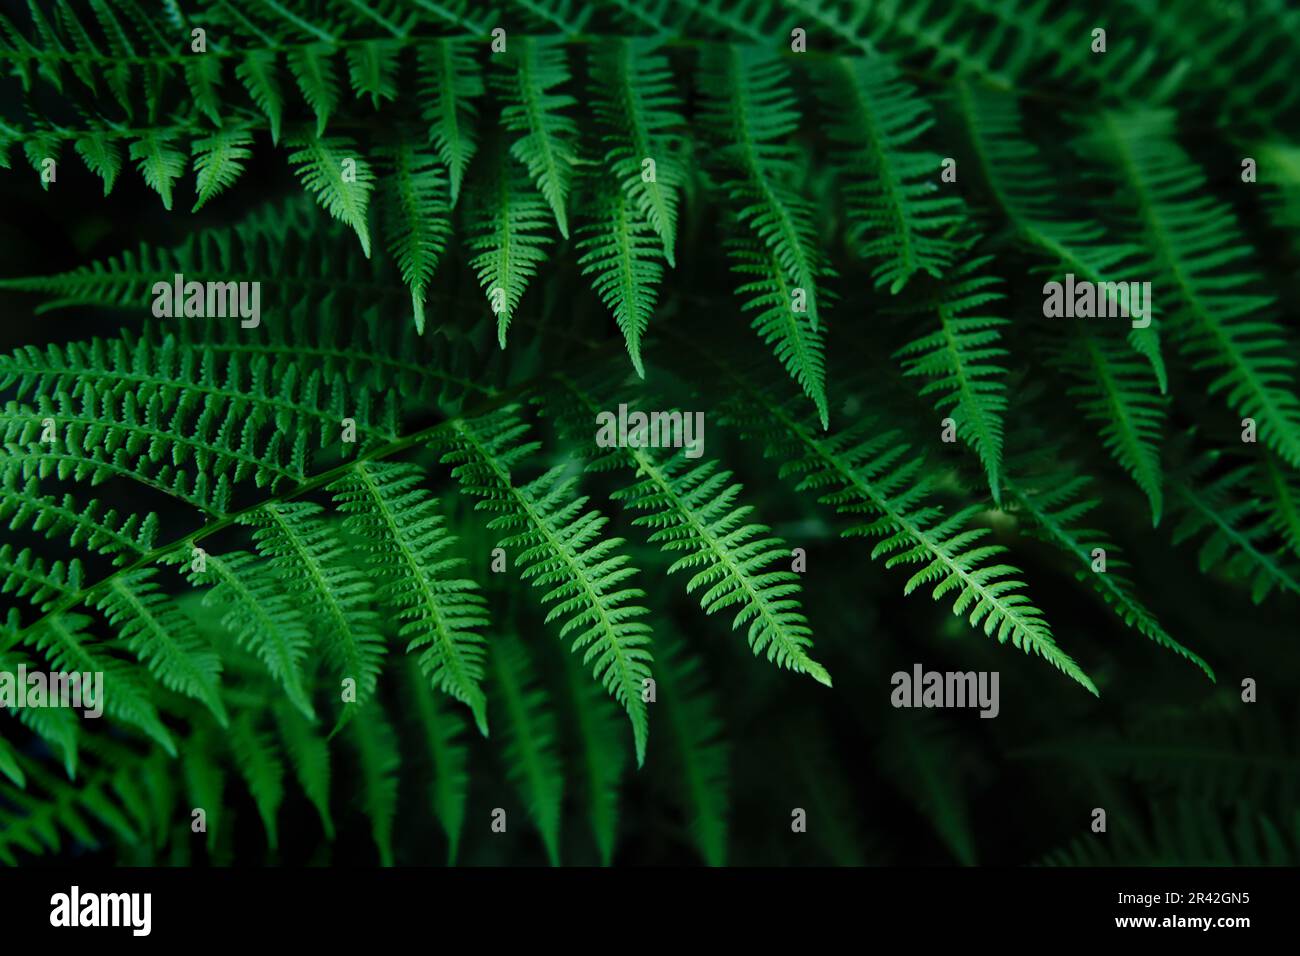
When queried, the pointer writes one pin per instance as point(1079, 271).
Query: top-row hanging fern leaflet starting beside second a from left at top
point(547, 136)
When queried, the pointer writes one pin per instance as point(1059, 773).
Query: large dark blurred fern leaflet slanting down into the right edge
point(1221, 319)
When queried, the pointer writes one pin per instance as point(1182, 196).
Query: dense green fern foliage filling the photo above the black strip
point(366, 560)
